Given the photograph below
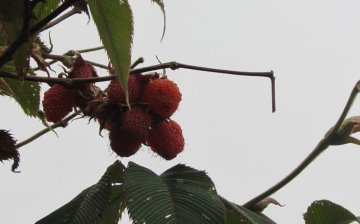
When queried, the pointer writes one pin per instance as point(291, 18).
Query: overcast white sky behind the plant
point(312, 46)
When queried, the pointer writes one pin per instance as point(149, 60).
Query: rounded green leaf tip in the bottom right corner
point(327, 212)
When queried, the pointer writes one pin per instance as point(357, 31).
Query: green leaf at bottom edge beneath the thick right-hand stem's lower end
point(247, 217)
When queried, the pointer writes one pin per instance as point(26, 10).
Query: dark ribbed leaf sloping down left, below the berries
point(89, 205)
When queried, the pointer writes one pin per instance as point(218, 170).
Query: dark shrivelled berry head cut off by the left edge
point(8, 149)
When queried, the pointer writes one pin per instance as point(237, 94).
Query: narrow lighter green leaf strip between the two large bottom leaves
point(117, 204)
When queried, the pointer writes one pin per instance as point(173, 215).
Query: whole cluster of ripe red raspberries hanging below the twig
point(153, 100)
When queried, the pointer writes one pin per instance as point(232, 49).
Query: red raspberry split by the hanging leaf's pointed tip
point(116, 93)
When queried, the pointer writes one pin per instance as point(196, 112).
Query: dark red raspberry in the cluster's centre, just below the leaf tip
point(136, 121)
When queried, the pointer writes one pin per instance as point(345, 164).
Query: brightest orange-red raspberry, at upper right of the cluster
point(163, 97)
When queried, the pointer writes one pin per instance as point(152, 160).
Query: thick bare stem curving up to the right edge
point(322, 145)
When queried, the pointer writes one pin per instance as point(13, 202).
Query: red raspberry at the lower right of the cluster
point(166, 139)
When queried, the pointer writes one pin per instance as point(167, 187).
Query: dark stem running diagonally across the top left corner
point(23, 36)
